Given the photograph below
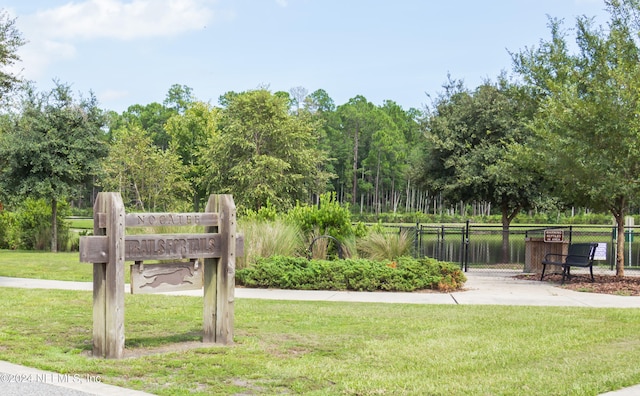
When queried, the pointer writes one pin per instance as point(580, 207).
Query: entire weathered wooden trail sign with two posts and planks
point(109, 248)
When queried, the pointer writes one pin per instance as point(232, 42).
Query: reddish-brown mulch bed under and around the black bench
point(604, 284)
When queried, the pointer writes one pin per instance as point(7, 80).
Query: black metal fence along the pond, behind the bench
point(483, 246)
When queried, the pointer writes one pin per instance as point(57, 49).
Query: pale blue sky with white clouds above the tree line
point(132, 52)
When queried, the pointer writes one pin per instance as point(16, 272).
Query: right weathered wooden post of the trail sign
point(219, 274)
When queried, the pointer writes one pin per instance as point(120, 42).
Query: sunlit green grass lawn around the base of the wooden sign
point(322, 348)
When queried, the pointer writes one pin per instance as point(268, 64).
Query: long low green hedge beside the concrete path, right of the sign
point(404, 274)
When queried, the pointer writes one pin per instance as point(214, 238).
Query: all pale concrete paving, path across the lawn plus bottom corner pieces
point(482, 288)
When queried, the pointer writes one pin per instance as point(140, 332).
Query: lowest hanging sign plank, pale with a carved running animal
point(167, 277)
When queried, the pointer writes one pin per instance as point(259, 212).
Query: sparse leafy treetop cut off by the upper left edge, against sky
point(10, 41)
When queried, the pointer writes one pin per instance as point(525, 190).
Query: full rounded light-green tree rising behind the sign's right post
point(261, 153)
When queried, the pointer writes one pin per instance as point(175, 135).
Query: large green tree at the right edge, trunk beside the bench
point(588, 127)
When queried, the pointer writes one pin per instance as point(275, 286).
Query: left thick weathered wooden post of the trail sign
point(108, 278)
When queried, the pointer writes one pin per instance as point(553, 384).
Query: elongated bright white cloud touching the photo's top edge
point(122, 20)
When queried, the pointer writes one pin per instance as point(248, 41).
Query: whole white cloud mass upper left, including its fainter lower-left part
point(52, 34)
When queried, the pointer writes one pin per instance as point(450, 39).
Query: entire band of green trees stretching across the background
point(560, 129)
